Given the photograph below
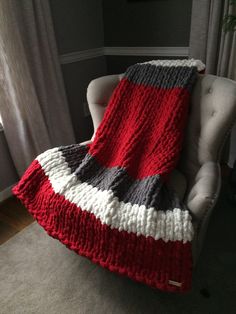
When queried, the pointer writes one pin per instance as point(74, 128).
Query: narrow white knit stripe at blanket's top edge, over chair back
point(176, 63)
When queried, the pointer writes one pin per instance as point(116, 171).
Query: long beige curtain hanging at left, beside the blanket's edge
point(33, 103)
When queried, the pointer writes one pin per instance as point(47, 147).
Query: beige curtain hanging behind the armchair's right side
point(216, 48)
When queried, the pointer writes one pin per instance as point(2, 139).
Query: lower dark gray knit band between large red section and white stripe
point(149, 191)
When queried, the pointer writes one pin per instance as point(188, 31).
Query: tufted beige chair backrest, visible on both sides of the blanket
point(212, 114)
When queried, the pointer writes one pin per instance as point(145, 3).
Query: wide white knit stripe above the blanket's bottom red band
point(169, 225)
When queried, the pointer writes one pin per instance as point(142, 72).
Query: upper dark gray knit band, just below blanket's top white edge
point(161, 76)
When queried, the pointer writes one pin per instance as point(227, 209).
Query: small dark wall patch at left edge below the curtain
point(8, 175)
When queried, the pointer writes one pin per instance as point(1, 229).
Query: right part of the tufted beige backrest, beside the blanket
point(212, 115)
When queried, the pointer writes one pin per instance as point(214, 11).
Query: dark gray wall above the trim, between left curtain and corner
point(78, 24)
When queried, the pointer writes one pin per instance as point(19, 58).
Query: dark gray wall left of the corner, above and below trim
point(79, 26)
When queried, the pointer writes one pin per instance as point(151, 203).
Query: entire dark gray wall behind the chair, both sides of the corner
point(86, 24)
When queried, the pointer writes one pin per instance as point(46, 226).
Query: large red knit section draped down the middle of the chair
point(161, 122)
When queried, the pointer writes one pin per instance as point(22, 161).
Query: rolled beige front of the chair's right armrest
point(205, 190)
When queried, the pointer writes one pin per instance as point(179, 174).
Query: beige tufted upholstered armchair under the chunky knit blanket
point(197, 179)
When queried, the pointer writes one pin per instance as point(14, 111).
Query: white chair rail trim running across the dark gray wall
point(77, 56)
